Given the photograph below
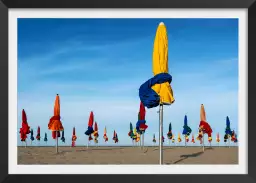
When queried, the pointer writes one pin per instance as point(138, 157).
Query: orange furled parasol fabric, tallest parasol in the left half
point(55, 124)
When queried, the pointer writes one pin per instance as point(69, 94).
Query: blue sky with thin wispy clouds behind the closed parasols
point(99, 64)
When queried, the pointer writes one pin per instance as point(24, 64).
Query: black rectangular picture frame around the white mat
point(250, 5)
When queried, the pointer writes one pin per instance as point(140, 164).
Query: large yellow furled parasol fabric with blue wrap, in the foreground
point(157, 89)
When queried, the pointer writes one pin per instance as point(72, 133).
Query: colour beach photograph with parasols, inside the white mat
point(127, 91)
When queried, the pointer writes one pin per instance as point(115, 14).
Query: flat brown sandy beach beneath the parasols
point(127, 155)
